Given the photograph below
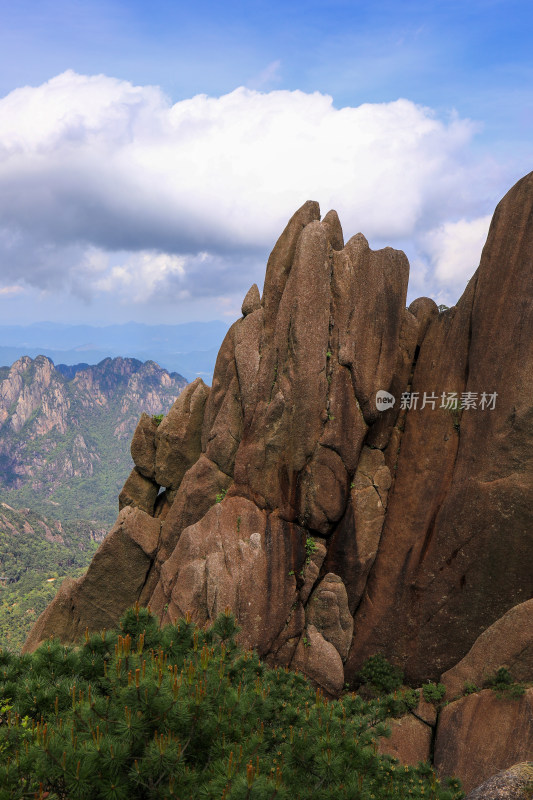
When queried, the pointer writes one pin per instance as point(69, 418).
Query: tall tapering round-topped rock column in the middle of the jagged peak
point(292, 386)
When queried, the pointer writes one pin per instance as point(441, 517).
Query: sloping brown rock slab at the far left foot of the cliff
point(113, 582)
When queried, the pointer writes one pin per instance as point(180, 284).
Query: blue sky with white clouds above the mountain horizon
point(151, 153)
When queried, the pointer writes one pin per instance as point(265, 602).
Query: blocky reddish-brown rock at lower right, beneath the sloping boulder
point(482, 734)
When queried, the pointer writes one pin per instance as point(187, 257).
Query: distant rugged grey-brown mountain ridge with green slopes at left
point(64, 433)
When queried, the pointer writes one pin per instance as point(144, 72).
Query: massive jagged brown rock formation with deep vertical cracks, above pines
point(335, 530)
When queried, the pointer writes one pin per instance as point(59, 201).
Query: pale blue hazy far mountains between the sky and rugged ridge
point(188, 348)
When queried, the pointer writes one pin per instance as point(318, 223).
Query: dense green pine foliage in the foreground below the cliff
point(183, 712)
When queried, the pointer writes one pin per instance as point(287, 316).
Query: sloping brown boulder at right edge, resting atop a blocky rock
point(508, 643)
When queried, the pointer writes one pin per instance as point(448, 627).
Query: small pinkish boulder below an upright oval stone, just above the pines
point(319, 660)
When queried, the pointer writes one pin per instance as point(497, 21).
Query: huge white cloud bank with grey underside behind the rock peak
point(109, 187)
